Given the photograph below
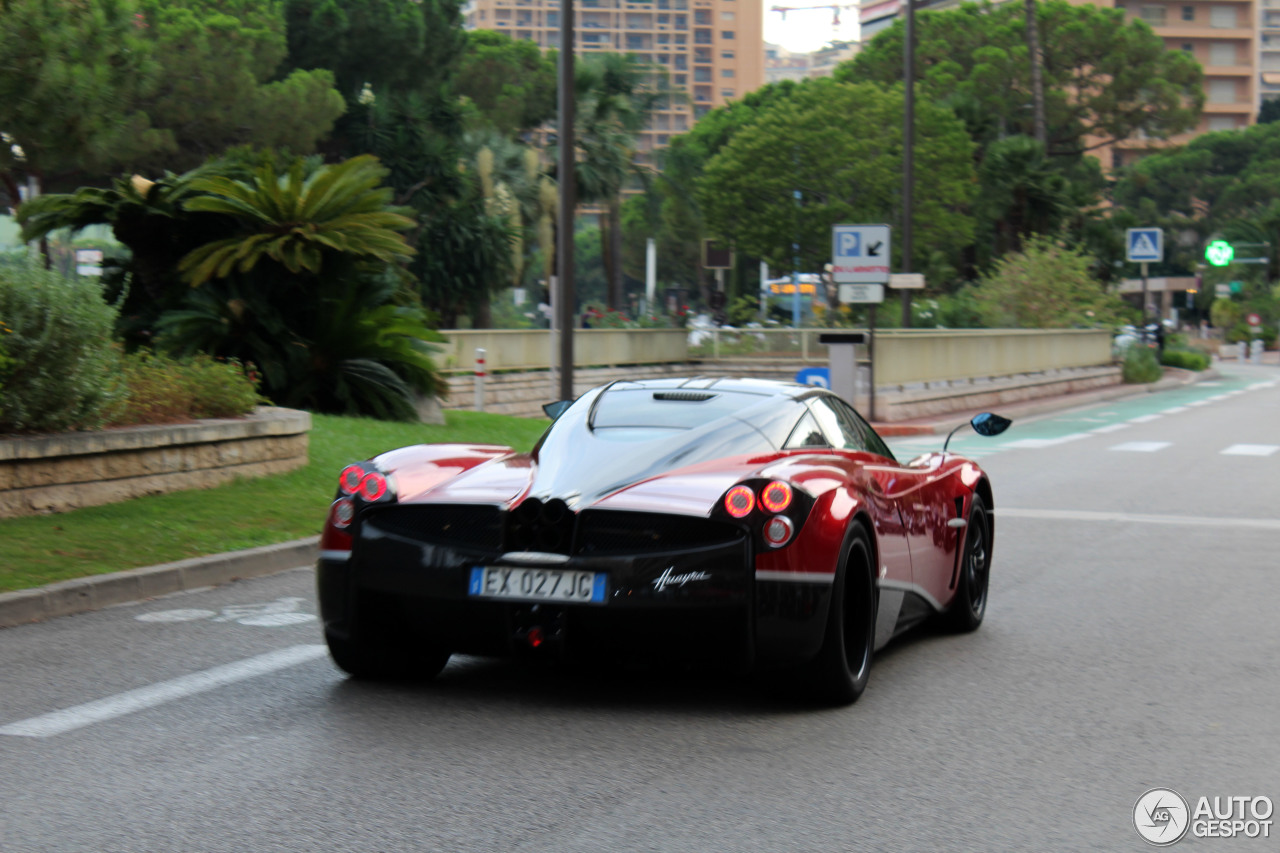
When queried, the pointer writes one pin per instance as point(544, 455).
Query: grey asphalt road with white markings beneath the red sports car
point(1131, 644)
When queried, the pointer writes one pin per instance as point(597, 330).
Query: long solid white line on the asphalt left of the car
point(117, 706)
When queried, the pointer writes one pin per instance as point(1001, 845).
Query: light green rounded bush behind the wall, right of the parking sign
point(1046, 286)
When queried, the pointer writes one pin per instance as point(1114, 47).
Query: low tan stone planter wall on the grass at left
point(66, 472)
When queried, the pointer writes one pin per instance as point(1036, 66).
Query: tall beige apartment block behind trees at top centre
point(712, 49)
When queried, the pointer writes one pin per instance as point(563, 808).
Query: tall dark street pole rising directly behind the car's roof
point(568, 203)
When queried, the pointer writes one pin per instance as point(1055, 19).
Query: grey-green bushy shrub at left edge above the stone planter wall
point(61, 370)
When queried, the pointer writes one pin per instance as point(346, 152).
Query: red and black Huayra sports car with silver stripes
point(756, 523)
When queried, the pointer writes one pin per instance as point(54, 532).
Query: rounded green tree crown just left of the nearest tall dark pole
point(509, 83)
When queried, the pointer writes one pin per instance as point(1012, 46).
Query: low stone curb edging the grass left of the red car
point(85, 595)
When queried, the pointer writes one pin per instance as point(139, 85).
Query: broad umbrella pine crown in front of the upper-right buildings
point(1107, 79)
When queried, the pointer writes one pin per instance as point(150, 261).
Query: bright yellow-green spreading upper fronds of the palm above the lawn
point(298, 220)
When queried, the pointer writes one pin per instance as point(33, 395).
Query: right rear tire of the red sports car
point(844, 664)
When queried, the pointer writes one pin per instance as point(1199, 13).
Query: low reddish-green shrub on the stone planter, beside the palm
point(168, 391)
